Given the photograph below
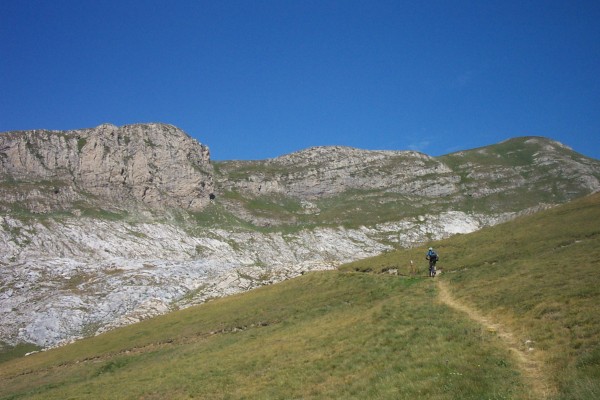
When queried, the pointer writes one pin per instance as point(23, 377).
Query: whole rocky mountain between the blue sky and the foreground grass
point(107, 226)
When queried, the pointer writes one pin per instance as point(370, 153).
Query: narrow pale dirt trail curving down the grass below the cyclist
point(529, 366)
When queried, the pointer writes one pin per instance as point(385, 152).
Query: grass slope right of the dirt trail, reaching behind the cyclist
point(539, 277)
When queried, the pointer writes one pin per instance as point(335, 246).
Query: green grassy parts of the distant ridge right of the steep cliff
point(506, 177)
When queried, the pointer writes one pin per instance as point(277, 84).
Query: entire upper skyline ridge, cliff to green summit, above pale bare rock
point(158, 166)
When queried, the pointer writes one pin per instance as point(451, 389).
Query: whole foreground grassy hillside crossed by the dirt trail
point(512, 316)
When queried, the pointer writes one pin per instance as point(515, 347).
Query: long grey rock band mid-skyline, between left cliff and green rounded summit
point(327, 171)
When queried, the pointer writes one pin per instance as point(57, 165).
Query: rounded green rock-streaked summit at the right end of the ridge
point(526, 171)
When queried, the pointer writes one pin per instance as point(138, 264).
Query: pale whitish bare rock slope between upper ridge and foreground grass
point(67, 279)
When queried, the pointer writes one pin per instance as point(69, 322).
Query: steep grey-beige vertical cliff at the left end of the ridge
point(156, 164)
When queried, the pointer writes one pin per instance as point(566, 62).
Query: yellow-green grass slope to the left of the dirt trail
point(323, 335)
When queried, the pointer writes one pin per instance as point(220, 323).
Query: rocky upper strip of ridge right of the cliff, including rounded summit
point(327, 171)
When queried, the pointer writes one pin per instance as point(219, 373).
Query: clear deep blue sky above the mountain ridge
point(257, 79)
